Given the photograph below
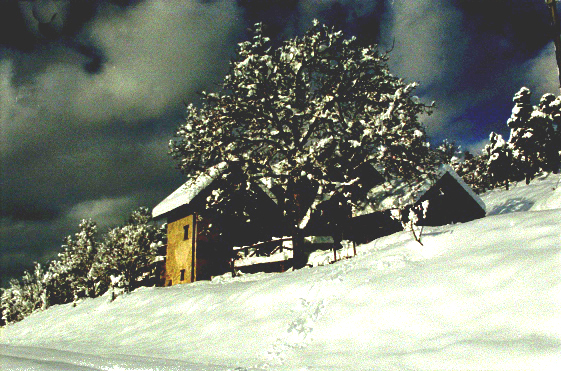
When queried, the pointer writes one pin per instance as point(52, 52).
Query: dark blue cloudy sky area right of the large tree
point(466, 54)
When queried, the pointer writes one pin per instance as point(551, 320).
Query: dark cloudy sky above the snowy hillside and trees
point(91, 91)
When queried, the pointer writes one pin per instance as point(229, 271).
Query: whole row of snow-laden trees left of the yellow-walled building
point(127, 258)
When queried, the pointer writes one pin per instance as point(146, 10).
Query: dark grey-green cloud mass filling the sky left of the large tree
point(87, 109)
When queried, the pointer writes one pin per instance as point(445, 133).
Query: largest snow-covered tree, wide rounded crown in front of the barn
point(304, 116)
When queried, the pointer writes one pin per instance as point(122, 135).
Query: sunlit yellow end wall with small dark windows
point(180, 251)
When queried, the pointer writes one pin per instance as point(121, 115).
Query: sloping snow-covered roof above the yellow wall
point(189, 190)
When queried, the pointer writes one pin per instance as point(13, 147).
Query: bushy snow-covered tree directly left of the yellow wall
point(128, 256)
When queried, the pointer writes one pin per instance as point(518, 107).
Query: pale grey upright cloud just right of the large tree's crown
point(429, 42)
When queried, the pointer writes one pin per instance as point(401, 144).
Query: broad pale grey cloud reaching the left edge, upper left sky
point(157, 54)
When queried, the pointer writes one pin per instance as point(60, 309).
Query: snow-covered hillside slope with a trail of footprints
point(484, 295)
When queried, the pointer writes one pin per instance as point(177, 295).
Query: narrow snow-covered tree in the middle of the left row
point(68, 277)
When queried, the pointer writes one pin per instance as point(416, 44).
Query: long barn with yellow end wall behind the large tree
point(197, 252)
